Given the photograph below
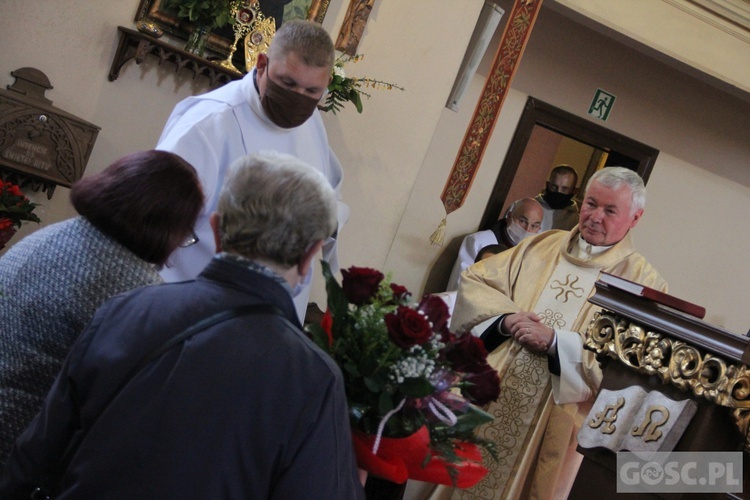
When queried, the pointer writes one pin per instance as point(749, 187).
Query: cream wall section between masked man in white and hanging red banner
point(382, 149)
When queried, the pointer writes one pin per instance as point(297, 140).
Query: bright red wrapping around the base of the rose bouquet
point(399, 459)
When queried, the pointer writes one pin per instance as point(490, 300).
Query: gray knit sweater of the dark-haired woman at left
point(51, 283)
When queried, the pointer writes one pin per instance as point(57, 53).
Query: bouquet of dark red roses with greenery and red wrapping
point(413, 387)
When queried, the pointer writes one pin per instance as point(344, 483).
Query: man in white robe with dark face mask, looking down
point(272, 108)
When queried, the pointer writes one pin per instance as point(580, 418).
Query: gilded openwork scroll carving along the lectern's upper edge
point(673, 361)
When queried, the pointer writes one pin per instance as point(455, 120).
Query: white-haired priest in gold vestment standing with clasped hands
point(529, 305)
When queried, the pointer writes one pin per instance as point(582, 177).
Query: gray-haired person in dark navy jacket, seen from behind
point(206, 388)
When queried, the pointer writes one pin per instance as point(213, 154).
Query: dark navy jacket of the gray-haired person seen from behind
point(249, 408)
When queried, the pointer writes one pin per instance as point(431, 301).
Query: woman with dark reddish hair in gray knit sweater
point(133, 215)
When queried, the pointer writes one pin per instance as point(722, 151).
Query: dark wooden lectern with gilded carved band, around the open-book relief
point(639, 341)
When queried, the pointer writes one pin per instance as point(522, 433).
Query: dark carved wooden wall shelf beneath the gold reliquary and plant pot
point(136, 45)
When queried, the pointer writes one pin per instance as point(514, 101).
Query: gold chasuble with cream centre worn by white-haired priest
point(534, 435)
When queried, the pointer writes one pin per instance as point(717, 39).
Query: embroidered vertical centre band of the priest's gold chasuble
point(525, 387)
